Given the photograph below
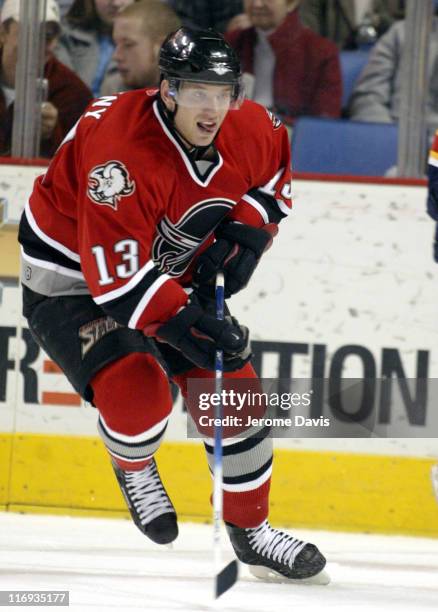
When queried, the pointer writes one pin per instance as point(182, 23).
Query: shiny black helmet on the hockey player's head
point(201, 56)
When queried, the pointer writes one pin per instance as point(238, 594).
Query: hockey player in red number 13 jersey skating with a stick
point(149, 195)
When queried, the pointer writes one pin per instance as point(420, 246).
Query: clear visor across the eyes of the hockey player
point(207, 95)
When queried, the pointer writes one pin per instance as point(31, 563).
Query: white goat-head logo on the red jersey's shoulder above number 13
point(108, 183)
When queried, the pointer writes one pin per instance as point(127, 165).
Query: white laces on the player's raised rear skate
point(147, 493)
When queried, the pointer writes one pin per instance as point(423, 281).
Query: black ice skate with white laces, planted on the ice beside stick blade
point(274, 555)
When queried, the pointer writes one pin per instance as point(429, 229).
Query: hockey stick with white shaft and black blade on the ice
point(227, 576)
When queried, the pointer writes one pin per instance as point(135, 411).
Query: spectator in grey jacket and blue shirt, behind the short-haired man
point(86, 44)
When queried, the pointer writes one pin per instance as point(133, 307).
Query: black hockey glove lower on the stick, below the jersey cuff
point(199, 335)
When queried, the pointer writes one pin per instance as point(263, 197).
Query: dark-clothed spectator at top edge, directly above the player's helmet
point(206, 13)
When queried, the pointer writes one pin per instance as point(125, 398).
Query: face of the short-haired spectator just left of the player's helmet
point(135, 53)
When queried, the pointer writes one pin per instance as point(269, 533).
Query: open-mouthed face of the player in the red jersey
point(201, 109)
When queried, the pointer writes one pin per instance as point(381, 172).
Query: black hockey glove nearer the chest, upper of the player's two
point(237, 251)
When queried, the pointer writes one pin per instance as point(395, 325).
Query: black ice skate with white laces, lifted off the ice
point(149, 505)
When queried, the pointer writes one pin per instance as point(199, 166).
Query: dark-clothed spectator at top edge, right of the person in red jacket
point(351, 24)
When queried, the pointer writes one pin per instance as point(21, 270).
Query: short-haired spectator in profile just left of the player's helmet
point(139, 30)
